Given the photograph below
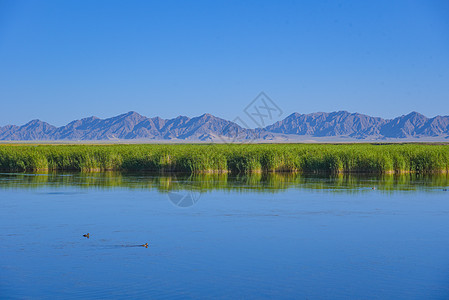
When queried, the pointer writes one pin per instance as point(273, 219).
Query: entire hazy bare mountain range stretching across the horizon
point(340, 125)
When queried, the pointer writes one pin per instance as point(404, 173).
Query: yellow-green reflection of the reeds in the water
point(207, 182)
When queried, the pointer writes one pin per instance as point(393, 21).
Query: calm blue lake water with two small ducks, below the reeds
point(251, 237)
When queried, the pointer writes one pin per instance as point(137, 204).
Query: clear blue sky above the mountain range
point(64, 60)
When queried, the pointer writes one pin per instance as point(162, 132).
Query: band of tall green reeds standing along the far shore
point(196, 158)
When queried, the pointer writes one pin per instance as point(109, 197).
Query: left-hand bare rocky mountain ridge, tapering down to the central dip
point(135, 126)
